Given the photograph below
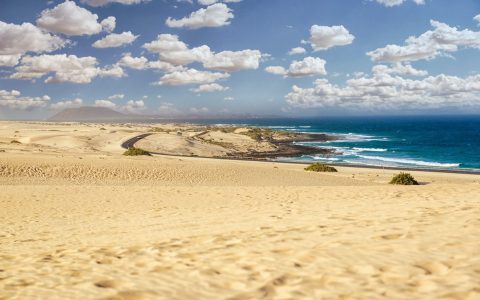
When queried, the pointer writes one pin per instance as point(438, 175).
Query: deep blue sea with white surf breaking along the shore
point(420, 142)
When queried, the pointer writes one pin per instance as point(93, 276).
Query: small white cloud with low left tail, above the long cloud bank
point(309, 66)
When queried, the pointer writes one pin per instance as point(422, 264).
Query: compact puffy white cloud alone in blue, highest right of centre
point(325, 37)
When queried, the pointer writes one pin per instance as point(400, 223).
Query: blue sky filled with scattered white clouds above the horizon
point(263, 57)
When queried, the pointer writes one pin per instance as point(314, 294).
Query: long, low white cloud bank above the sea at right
point(384, 91)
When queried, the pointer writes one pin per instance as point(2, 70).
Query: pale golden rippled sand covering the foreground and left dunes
point(80, 221)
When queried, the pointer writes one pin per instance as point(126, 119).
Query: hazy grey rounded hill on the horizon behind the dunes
point(89, 114)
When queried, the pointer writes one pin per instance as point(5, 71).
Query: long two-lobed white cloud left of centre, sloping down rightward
point(170, 49)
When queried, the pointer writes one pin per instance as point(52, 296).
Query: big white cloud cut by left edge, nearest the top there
point(19, 39)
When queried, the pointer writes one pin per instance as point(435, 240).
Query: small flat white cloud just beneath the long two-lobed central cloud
point(191, 76)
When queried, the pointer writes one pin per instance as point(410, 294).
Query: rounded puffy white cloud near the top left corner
point(70, 19)
